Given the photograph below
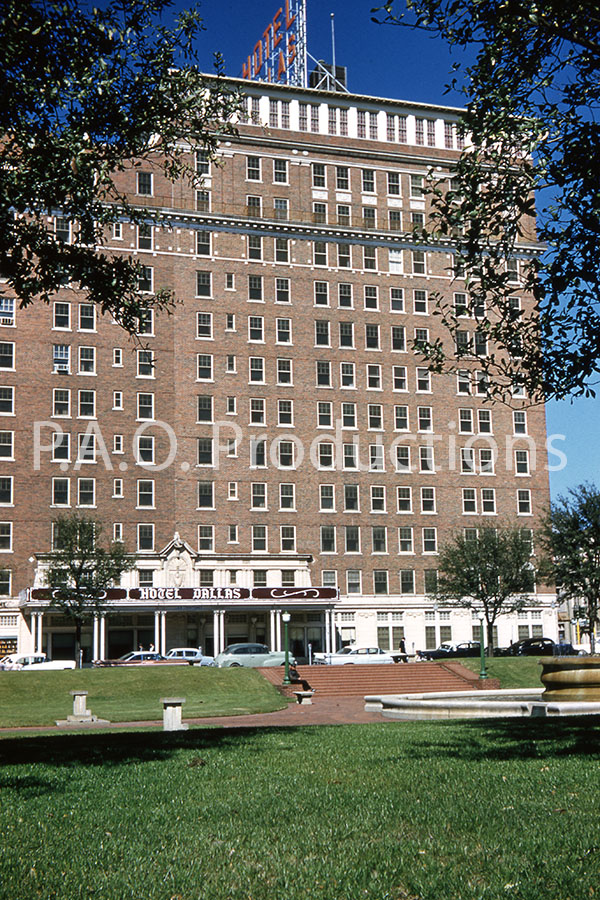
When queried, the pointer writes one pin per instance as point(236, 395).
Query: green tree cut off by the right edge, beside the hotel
point(571, 537)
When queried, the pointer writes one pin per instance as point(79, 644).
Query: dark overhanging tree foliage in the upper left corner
point(89, 93)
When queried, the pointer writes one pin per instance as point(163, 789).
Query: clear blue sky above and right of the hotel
point(395, 62)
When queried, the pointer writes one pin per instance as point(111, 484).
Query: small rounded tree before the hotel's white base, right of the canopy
point(489, 571)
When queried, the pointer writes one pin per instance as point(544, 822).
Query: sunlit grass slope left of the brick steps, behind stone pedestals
point(133, 694)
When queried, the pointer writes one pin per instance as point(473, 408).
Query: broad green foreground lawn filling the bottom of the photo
point(396, 811)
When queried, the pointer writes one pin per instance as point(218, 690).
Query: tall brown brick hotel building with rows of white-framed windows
point(276, 431)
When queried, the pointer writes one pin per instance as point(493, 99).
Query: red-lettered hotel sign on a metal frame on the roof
point(280, 54)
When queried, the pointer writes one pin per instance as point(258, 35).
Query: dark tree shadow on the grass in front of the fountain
point(504, 739)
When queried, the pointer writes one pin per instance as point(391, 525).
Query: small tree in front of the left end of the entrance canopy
point(80, 569)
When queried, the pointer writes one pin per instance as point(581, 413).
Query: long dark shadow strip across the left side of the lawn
point(117, 748)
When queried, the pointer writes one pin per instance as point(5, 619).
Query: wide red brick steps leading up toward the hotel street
point(357, 680)
